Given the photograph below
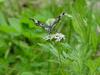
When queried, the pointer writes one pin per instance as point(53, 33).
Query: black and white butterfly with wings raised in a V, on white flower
point(48, 27)
